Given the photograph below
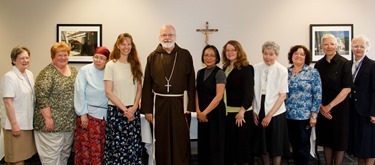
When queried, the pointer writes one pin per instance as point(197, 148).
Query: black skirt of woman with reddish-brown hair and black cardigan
point(238, 140)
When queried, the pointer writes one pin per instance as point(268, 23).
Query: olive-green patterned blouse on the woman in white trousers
point(54, 90)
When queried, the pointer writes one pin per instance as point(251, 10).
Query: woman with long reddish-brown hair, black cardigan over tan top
point(238, 95)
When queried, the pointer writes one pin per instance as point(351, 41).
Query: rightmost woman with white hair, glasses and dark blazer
point(362, 103)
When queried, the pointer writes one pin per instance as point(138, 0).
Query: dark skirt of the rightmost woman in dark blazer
point(361, 136)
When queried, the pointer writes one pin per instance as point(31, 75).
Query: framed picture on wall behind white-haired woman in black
point(343, 34)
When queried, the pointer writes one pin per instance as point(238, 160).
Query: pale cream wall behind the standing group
point(32, 23)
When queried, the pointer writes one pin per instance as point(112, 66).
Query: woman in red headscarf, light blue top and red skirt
point(91, 104)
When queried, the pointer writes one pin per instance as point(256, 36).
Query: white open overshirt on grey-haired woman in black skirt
point(277, 83)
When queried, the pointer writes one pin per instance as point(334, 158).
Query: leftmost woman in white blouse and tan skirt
point(17, 108)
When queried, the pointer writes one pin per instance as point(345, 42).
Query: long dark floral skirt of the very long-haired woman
point(123, 138)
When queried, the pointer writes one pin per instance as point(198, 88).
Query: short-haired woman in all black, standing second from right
point(332, 126)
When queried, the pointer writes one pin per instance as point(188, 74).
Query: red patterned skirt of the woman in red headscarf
point(89, 142)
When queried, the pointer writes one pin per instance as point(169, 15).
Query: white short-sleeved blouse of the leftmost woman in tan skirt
point(14, 85)
